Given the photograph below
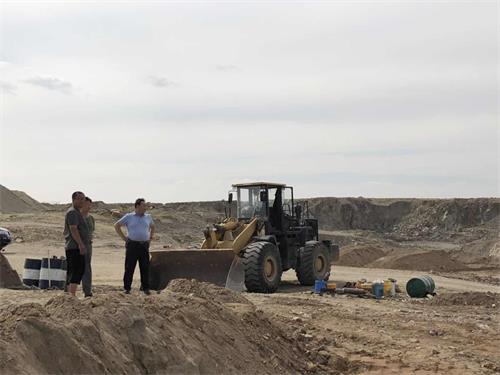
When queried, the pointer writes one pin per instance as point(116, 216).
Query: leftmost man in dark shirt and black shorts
point(76, 235)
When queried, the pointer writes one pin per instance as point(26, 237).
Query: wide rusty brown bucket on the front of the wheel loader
point(203, 265)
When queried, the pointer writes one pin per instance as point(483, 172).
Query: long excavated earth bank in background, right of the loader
point(407, 217)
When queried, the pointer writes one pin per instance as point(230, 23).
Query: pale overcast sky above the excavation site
point(175, 101)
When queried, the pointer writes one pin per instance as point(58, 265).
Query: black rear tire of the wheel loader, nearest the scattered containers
point(314, 263)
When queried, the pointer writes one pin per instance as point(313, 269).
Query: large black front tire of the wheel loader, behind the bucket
point(262, 264)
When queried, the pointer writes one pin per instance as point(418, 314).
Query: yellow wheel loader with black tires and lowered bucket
point(269, 235)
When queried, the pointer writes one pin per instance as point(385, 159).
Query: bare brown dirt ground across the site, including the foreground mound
point(292, 331)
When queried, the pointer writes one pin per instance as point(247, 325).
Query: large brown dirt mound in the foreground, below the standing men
point(171, 332)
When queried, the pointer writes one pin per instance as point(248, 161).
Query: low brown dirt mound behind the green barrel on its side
point(436, 260)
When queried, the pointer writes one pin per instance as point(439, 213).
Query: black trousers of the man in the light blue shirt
point(136, 252)
